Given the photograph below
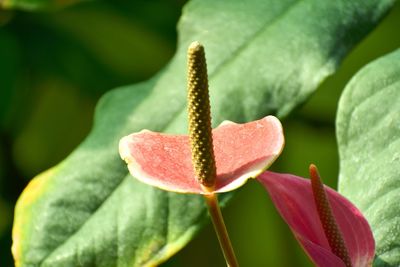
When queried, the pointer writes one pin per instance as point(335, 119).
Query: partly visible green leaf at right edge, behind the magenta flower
point(368, 134)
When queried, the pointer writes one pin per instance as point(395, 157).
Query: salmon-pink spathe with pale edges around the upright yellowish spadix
point(241, 151)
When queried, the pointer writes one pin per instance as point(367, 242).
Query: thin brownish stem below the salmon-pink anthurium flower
point(220, 229)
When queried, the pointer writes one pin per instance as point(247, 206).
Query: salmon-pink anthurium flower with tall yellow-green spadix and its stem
point(206, 161)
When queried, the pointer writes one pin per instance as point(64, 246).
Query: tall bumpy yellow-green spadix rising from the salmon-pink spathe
point(200, 117)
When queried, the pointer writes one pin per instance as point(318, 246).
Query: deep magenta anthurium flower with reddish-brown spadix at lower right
point(331, 230)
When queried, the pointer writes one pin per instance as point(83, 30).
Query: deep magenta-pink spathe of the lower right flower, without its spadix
point(292, 195)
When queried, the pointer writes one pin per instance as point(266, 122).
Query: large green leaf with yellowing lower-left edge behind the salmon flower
point(263, 57)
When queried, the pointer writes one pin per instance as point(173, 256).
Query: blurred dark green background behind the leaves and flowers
point(55, 65)
